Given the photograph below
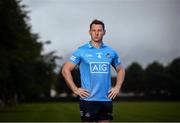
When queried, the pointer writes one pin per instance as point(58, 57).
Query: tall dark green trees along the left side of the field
point(24, 73)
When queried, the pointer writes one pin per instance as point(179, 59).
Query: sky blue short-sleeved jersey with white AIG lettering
point(94, 64)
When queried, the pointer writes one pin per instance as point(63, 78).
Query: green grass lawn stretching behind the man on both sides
point(123, 111)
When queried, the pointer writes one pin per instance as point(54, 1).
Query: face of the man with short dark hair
point(97, 32)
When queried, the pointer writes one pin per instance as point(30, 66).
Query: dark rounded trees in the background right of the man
point(154, 80)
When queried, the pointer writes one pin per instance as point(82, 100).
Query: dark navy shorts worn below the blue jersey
point(92, 111)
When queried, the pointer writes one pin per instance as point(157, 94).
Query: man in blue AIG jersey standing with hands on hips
point(94, 60)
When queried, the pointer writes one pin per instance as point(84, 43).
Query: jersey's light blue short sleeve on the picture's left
point(75, 57)
